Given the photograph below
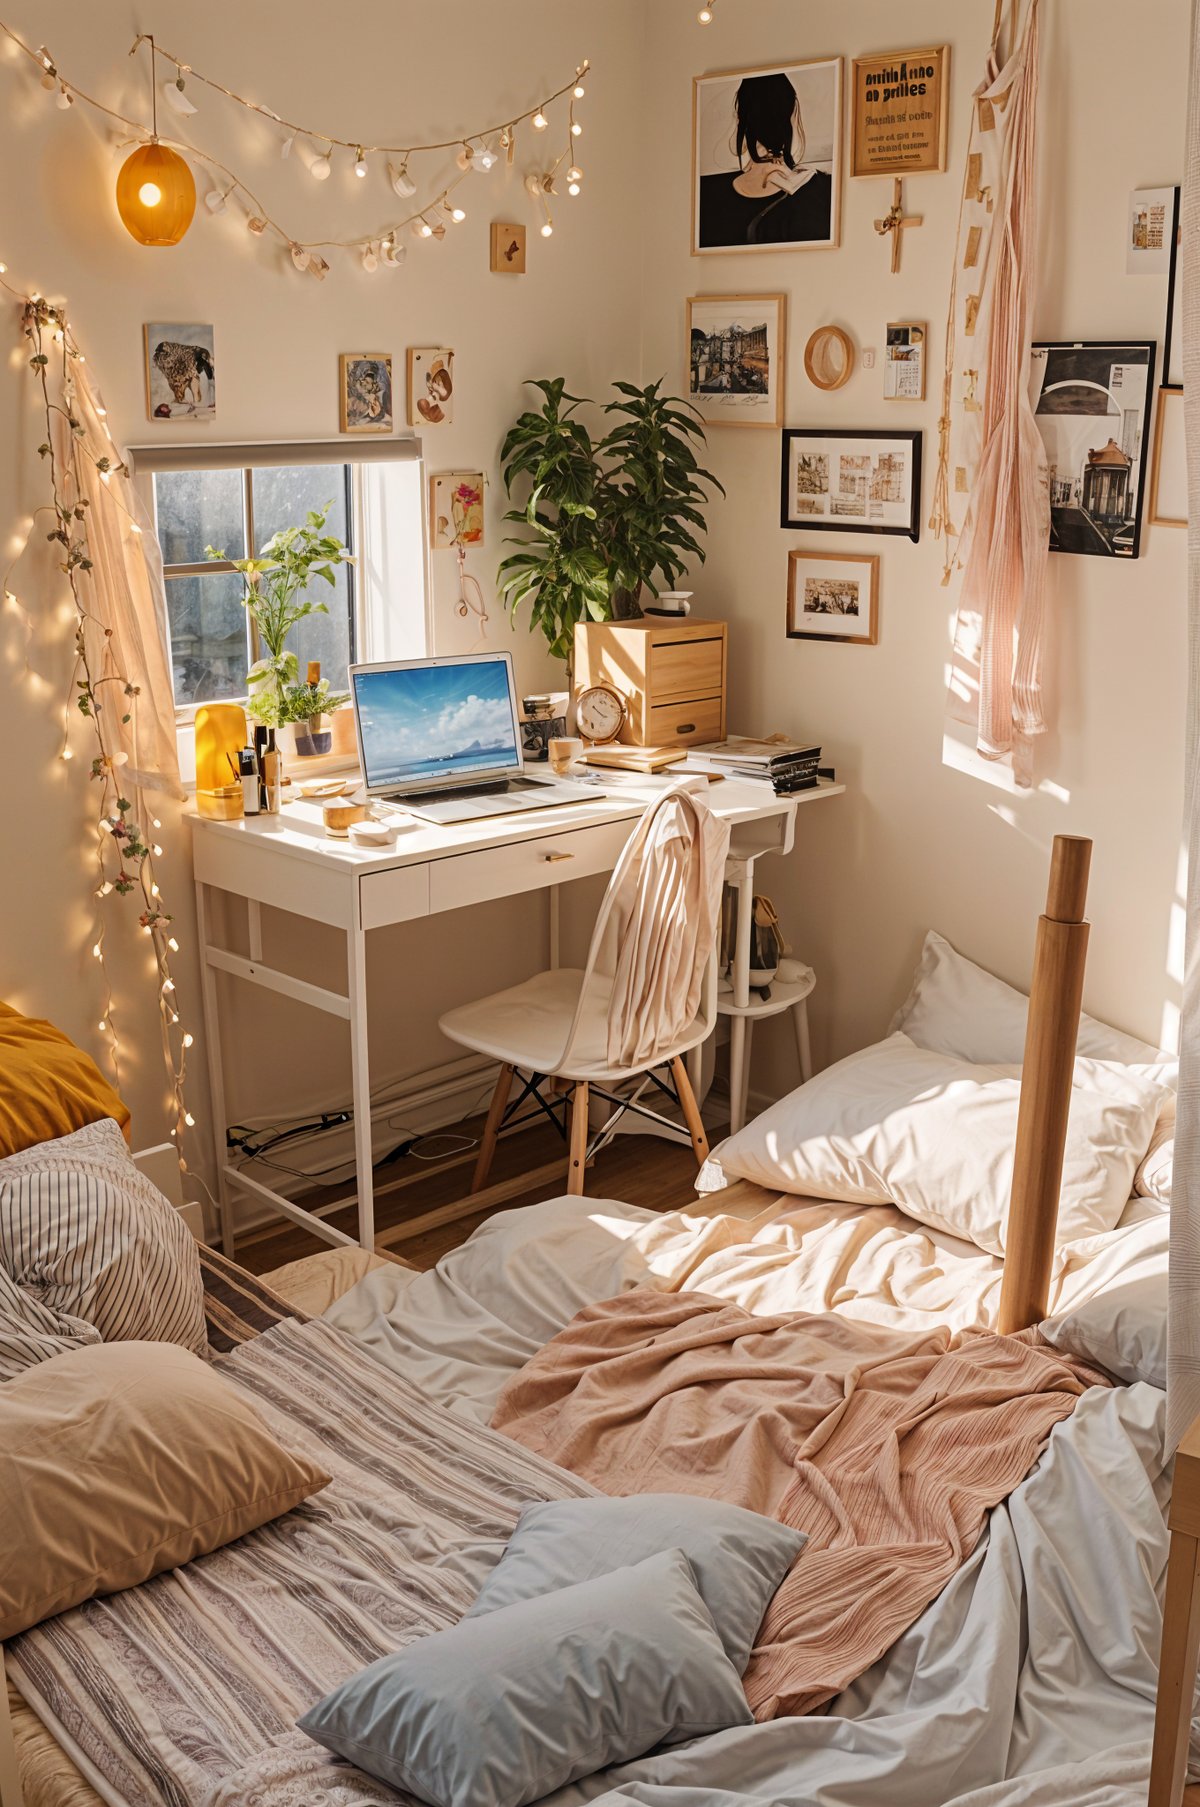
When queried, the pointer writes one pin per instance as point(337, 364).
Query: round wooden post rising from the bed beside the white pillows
point(1047, 1074)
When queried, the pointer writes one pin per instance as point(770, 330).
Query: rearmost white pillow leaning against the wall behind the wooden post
point(957, 1007)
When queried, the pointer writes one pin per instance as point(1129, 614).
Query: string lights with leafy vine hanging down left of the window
point(98, 689)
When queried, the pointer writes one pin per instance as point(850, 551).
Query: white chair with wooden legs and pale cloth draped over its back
point(556, 1031)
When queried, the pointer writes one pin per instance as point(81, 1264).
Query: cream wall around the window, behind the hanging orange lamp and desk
point(384, 68)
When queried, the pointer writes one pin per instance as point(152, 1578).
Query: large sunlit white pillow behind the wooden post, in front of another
point(935, 1136)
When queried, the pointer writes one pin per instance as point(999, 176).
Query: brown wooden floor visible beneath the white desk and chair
point(639, 1170)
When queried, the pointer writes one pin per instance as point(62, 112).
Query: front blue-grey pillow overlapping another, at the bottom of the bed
point(518, 1703)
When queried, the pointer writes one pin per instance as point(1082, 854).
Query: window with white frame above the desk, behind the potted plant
point(238, 498)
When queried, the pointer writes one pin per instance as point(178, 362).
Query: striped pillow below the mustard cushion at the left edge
point(91, 1253)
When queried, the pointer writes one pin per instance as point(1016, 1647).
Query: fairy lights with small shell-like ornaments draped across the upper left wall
point(306, 254)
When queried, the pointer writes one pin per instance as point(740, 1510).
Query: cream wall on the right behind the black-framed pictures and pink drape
point(917, 845)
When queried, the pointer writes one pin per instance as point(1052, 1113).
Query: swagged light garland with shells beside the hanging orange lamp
point(478, 151)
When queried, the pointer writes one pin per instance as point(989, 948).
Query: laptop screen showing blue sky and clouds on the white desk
point(436, 720)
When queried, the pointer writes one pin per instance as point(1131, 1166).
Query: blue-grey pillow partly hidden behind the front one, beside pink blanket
point(738, 1557)
